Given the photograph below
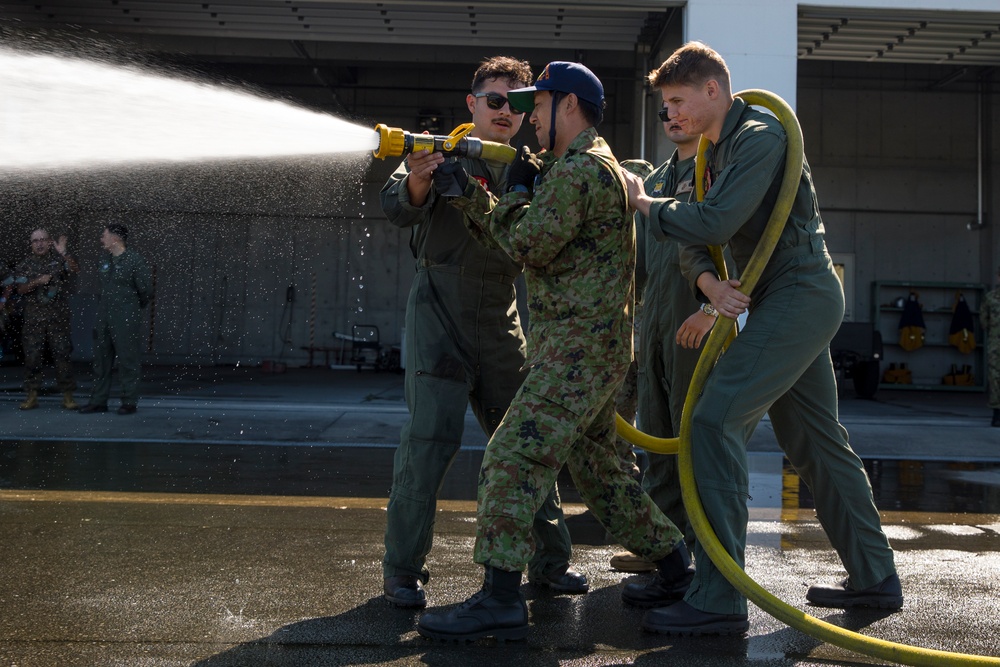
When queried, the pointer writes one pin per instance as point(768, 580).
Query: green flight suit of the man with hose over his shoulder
point(779, 364)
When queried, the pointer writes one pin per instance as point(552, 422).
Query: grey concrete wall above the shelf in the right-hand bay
point(896, 174)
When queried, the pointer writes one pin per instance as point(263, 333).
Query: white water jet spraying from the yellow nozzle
point(66, 112)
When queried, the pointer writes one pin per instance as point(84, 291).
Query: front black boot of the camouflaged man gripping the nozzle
point(498, 610)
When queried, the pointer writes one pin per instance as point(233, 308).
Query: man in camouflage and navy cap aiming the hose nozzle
point(566, 216)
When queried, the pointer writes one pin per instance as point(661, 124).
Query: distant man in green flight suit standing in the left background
point(126, 288)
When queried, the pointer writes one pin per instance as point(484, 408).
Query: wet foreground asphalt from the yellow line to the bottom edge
point(237, 581)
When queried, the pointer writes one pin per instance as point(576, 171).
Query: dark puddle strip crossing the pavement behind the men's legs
point(366, 472)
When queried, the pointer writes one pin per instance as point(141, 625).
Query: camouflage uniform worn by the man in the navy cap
point(577, 241)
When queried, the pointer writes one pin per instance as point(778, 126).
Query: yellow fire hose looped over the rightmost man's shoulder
point(717, 340)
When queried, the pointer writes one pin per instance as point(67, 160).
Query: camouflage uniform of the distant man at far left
point(46, 320)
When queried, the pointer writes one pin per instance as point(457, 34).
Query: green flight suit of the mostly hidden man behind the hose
point(665, 368)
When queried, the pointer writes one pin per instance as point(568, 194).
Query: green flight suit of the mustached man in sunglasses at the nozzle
point(464, 345)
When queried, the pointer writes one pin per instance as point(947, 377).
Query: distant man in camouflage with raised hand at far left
point(42, 280)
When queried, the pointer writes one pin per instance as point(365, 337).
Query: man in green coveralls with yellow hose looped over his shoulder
point(779, 364)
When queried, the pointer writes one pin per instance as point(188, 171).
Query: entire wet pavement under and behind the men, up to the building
point(237, 519)
